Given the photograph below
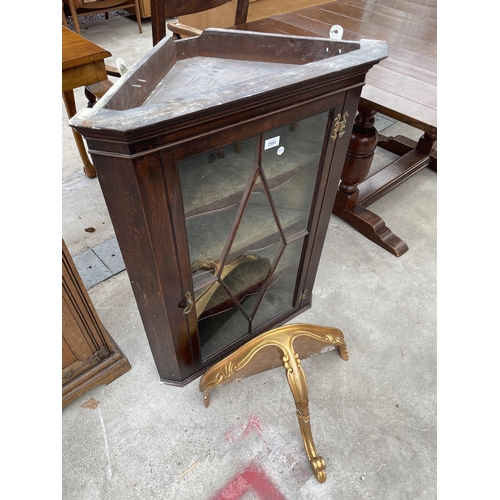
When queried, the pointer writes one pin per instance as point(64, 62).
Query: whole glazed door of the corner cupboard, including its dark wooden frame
point(251, 223)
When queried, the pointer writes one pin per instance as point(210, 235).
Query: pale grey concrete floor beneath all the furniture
point(373, 417)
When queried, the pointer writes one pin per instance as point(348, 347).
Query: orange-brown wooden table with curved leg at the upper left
point(82, 65)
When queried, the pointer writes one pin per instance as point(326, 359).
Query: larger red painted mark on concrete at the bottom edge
point(252, 478)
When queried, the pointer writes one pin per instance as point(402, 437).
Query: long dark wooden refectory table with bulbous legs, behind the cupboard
point(404, 87)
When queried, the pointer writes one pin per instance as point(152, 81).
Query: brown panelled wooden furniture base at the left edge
point(90, 357)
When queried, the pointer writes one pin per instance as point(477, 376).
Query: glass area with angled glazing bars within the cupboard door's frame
point(248, 209)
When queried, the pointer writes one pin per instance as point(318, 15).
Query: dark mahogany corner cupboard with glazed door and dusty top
point(219, 158)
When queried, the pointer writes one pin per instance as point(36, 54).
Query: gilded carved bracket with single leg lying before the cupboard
point(255, 356)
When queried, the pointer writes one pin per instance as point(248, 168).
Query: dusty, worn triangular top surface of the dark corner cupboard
point(220, 67)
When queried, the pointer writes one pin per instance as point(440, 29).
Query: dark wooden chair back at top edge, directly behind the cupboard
point(193, 16)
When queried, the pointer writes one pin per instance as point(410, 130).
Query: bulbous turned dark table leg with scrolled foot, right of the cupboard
point(358, 161)
